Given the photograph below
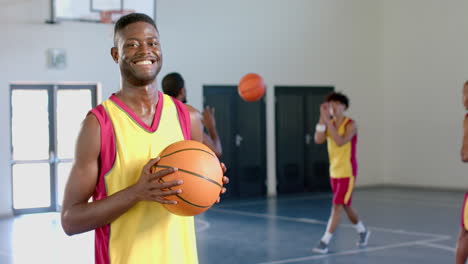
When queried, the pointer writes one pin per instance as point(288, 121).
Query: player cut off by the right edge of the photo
point(462, 243)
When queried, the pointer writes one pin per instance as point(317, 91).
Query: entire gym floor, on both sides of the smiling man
point(408, 226)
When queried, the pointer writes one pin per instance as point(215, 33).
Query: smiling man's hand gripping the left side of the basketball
point(150, 188)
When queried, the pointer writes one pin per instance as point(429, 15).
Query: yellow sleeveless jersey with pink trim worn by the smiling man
point(146, 233)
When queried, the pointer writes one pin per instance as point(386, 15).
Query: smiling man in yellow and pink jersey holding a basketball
point(118, 144)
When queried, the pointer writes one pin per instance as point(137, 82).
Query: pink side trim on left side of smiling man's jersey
point(106, 162)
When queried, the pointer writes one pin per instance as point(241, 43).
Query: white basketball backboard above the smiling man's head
point(101, 11)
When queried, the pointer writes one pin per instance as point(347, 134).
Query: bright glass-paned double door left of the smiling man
point(45, 121)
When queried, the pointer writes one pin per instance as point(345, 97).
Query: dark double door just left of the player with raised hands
point(301, 165)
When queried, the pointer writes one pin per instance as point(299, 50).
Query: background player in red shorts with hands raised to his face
point(340, 132)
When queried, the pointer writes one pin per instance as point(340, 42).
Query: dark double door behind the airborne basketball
point(241, 128)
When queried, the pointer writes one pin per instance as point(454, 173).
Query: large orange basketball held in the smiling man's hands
point(201, 172)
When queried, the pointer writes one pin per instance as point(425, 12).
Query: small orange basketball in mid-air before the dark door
point(251, 87)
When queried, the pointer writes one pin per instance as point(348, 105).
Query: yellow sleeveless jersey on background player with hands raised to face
point(343, 162)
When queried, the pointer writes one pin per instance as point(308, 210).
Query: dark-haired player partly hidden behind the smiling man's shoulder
point(174, 85)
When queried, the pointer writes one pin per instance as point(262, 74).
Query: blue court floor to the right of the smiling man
point(408, 226)
